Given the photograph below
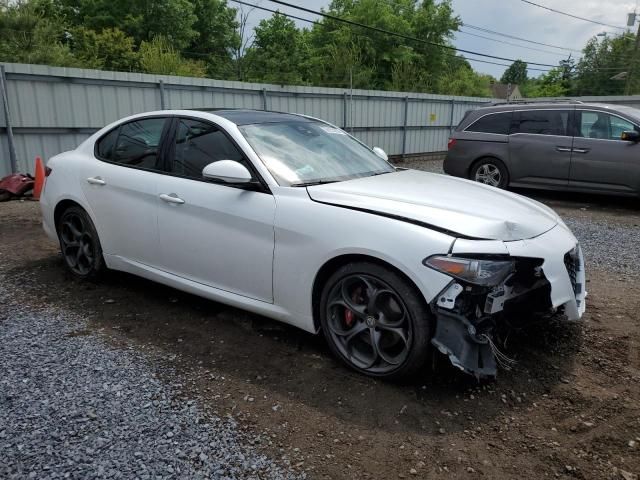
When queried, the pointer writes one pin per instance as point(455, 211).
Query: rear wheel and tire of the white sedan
point(80, 245)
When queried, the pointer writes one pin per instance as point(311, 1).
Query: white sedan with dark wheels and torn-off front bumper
point(292, 218)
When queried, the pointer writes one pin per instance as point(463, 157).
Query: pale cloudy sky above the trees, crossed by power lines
point(512, 17)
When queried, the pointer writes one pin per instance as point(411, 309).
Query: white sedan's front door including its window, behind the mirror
point(214, 234)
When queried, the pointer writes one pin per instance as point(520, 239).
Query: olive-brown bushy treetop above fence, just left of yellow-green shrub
point(110, 49)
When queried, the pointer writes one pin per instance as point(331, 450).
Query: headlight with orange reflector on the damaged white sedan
point(483, 272)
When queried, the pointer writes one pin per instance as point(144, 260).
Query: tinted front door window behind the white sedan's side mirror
point(197, 145)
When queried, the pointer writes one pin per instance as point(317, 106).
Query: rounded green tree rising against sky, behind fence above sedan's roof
point(278, 54)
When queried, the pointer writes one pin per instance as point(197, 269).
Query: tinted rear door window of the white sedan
point(138, 142)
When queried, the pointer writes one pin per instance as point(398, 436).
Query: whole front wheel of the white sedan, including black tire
point(385, 308)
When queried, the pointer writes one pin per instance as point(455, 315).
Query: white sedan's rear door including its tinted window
point(120, 187)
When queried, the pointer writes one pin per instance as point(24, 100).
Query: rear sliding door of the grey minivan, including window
point(540, 147)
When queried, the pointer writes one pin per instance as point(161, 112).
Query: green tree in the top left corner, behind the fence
point(32, 32)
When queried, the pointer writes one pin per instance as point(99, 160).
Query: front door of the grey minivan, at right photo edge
point(600, 160)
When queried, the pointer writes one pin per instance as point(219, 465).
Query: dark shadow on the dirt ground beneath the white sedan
point(294, 365)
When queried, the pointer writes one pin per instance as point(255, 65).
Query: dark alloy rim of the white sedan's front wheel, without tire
point(369, 323)
